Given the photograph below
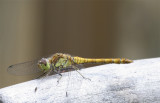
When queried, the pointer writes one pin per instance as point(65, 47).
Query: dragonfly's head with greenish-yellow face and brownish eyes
point(44, 64)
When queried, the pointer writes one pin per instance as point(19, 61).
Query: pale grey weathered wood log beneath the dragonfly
point(138, 82)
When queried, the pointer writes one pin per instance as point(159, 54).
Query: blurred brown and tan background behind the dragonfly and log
point(88, 28)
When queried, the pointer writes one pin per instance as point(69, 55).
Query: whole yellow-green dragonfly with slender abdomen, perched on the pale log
point(59, 63)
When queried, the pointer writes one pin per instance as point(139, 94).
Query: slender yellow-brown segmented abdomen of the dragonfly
point(80, 60)
